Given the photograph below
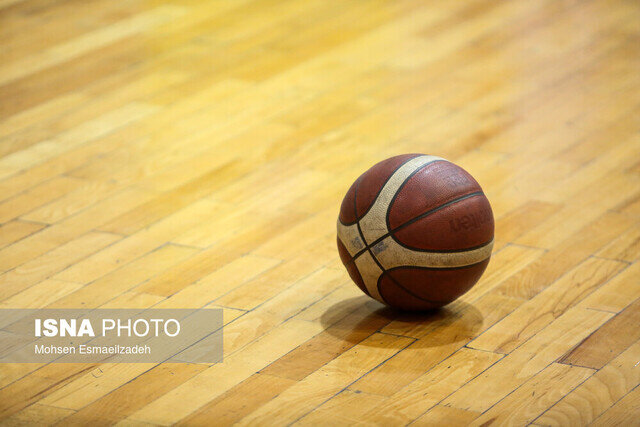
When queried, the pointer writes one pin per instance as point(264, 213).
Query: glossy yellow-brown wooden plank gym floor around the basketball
point(194, 153)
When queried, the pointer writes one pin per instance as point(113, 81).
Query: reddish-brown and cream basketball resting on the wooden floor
point(415, 232)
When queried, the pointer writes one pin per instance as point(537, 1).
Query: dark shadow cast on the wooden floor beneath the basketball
point(355, 319)
